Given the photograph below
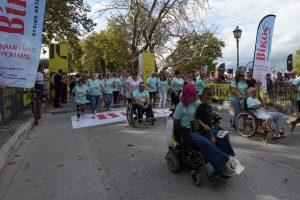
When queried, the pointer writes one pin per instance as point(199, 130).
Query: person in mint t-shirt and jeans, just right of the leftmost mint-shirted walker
point(95, 92)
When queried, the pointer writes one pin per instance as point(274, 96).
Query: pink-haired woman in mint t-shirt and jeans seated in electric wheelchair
point(219, 156)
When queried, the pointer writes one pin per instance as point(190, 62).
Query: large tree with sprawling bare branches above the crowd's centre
point(151, 24)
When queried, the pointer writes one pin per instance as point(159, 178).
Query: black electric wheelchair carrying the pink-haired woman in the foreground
point(181, 155)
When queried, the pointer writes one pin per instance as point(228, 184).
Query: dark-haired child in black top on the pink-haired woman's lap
point(208, 121)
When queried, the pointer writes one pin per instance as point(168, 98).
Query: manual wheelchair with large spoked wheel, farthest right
point(247, 124)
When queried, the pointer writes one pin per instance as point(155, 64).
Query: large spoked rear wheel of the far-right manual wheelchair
point(246, 124)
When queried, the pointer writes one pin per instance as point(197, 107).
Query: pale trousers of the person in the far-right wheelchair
point(275, 118)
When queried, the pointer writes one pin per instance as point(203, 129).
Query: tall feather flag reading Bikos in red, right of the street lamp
point(262, 52)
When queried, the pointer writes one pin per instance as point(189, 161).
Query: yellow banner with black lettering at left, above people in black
point(58, 57)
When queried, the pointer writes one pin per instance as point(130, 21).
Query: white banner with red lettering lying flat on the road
point(110, 117)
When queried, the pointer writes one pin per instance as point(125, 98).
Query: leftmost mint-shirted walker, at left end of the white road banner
point(80, 91)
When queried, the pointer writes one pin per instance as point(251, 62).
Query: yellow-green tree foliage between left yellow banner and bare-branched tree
point(107, 49)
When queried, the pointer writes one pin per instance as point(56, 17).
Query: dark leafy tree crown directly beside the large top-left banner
point(66, 20)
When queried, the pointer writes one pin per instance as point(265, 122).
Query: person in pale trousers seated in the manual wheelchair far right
point(257, 108)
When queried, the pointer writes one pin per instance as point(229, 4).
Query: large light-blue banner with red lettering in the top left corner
point(21, 24)
